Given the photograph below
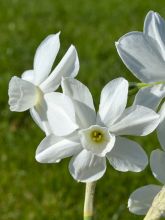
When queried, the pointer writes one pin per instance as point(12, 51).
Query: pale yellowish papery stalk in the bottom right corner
point(157, 209)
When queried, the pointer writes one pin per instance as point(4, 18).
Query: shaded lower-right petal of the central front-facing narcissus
point(127, 155)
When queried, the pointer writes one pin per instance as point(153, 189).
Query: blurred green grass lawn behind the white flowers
point(29, 190)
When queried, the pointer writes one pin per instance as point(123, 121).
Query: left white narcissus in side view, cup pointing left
point(28, 91)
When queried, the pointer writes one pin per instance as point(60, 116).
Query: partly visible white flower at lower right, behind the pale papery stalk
point(141, 199)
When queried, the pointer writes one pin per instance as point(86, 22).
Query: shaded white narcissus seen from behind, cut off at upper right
point(144, 54)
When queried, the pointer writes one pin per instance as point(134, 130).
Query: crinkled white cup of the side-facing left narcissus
point(22, 94)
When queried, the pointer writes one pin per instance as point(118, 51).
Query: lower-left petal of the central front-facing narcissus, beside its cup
point(53, 148)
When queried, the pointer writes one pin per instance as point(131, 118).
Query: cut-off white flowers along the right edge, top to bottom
point(144, 54)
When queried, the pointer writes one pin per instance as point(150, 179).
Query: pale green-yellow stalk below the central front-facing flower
point(89, 201)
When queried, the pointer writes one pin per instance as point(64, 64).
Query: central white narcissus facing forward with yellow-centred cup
point(91, 138)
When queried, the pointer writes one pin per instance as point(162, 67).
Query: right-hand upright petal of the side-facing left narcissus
point(68, 67)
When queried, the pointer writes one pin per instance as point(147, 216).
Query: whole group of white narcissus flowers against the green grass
point(74, 128)
